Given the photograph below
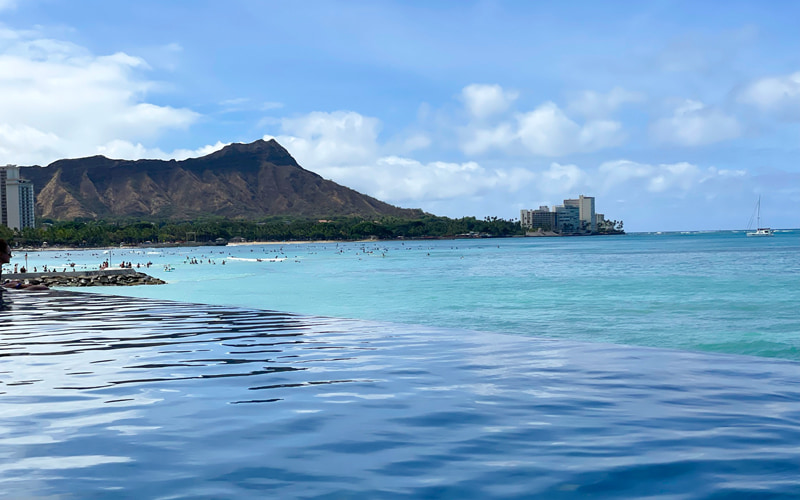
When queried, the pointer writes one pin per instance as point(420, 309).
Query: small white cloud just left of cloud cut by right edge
point(694, 124)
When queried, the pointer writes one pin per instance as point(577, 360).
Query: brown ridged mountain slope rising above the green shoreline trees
point(253, 180)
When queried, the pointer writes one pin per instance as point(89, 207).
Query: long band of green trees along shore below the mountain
point(108, 233)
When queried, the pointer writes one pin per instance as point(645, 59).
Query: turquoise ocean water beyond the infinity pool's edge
point(716, 291)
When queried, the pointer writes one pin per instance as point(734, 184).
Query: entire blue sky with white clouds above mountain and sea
point(674, 115)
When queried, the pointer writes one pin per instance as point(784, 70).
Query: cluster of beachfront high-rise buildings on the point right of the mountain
point(573, 217)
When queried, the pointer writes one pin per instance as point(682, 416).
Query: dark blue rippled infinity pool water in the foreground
point(123, 397)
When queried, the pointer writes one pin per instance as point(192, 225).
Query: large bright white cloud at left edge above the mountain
point(60, 100)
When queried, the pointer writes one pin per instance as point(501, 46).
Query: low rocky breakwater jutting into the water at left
point(106, 277)
